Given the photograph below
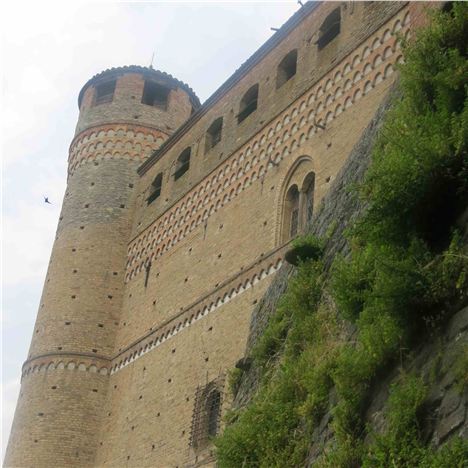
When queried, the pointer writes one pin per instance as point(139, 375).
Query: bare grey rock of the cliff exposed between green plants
point(441, 360)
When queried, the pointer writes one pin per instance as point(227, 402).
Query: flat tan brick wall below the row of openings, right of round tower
point(215, 247)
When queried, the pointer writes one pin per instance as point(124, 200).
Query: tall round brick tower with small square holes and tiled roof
point(125, 113)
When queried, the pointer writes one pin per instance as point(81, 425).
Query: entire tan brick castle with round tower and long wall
point(175, 219)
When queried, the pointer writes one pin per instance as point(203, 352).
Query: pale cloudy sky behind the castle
point(48, 51)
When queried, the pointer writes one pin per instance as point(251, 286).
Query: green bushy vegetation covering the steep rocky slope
point(336, 332)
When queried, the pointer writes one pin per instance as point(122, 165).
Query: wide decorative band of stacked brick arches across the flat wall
point(348, 82)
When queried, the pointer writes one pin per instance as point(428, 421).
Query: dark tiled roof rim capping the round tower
point(147, 72)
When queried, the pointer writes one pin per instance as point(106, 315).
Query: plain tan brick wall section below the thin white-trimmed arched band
point(150, 405)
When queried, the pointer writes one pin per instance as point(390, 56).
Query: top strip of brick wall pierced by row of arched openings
point(359, 20)
